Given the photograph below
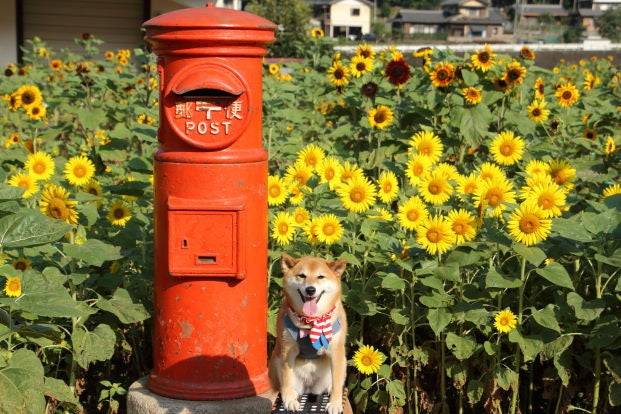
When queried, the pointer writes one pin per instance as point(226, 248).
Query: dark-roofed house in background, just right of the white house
point(459, 19)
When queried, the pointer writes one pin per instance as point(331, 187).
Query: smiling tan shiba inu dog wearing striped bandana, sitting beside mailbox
point(309, 355)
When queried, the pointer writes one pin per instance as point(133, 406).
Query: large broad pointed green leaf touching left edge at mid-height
point(30, 228)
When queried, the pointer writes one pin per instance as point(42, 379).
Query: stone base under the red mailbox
point(140, 400)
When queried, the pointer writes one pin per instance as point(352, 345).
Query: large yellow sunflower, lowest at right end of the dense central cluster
point(528, 224)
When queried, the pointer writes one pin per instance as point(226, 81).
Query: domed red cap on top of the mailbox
point(210, 17)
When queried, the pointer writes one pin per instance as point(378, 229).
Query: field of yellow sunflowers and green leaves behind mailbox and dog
point(476, 199)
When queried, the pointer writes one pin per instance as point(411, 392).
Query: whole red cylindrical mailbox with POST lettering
point(210, 205)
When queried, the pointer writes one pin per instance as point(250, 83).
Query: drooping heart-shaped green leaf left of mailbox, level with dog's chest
point(91, 346)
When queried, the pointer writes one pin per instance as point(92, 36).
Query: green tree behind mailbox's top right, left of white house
point(292, 18)
